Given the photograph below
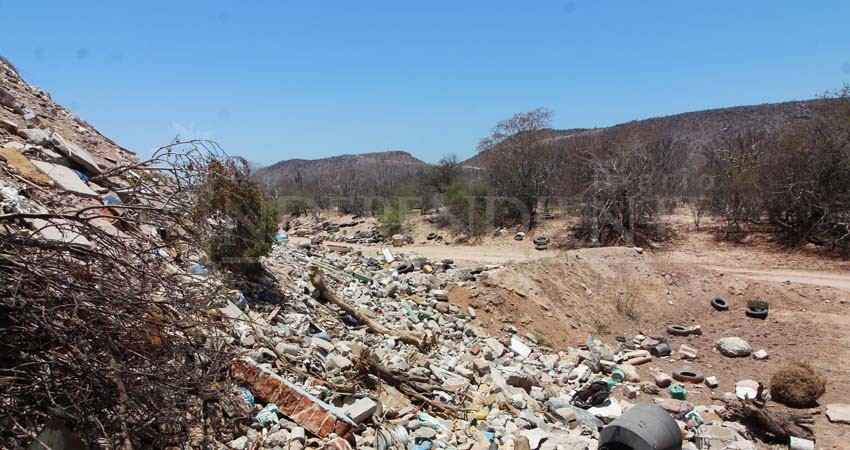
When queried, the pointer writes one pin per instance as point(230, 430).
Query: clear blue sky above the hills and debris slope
point(277, 80)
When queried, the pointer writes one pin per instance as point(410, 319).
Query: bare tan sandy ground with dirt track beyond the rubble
point(562, 296)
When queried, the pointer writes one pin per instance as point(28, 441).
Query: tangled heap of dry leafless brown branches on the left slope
point(101, 329)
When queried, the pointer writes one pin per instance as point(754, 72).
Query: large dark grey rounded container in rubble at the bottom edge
point(645, 426)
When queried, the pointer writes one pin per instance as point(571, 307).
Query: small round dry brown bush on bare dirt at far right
point(796, 384)
